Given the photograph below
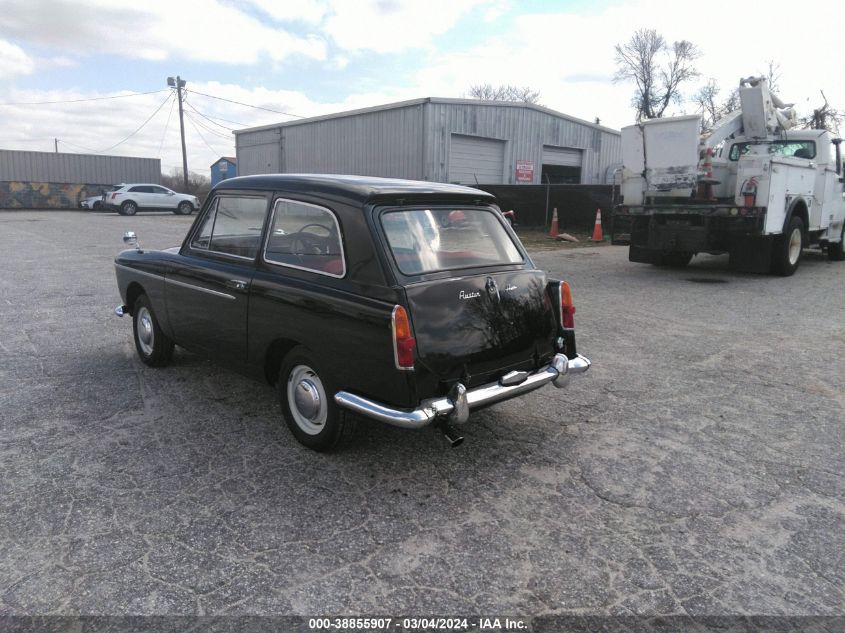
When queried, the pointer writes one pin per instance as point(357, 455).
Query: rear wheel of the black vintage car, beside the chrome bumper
point(308, 405)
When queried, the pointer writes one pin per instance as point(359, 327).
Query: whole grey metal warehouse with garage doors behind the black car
point(442, 140)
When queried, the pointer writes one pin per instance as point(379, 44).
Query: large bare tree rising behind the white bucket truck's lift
point(657, 69)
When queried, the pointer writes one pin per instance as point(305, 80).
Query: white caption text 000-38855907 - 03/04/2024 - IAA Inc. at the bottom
point(417, 624)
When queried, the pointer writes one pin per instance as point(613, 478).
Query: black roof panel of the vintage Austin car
point(356, 187)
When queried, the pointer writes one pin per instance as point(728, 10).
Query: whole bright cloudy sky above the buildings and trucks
point(309, 57)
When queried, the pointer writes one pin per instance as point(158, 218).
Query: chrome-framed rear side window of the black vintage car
point(305, 236)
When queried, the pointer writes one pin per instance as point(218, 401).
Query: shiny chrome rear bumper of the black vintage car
point(455, 407)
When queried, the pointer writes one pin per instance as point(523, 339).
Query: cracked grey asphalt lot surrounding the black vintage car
point(697, 469)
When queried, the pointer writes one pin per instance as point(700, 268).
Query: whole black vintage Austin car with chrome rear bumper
point(355, 295)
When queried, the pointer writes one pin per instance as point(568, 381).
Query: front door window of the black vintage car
point(232, 226)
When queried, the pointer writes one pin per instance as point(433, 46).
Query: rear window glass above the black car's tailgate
point(431, 240)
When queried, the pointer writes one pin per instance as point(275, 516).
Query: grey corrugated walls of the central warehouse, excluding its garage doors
point(413, 141)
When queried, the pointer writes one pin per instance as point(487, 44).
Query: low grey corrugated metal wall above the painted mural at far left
point(47, 167)
